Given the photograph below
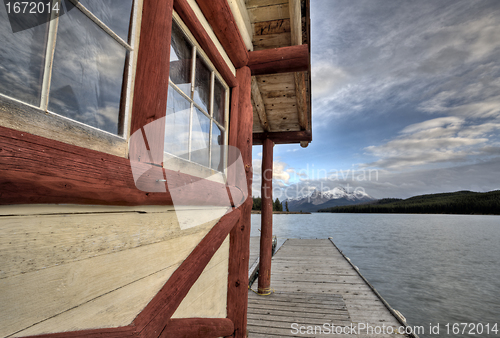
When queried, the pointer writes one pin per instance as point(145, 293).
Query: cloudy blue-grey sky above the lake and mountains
point(406, 99)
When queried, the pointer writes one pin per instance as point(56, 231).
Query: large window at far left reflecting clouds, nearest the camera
point(75, 65)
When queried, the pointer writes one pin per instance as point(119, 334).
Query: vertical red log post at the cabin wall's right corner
point(239, 247)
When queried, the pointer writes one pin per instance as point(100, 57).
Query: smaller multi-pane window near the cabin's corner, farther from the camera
point(197, 104)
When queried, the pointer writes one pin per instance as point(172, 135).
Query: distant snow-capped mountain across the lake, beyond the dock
point(317, 199)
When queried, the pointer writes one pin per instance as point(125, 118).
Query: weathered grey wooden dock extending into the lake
point(317, 289)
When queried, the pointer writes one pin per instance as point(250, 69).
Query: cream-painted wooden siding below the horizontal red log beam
point(78, 267)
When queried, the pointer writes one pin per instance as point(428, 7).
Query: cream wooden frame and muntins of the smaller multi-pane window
point(197, 52)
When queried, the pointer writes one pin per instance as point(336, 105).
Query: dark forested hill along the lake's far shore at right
point(460, 202)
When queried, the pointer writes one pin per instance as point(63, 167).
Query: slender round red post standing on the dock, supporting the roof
point(266, 236)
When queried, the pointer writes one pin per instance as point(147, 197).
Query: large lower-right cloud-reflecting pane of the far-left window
point(87, 75)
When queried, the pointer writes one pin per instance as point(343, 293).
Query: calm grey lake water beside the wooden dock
point(433, 268)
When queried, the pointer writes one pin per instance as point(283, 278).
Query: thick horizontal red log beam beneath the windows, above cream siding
point(34, 169)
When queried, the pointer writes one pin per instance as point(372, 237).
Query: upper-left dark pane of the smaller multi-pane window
point(181, 53)
